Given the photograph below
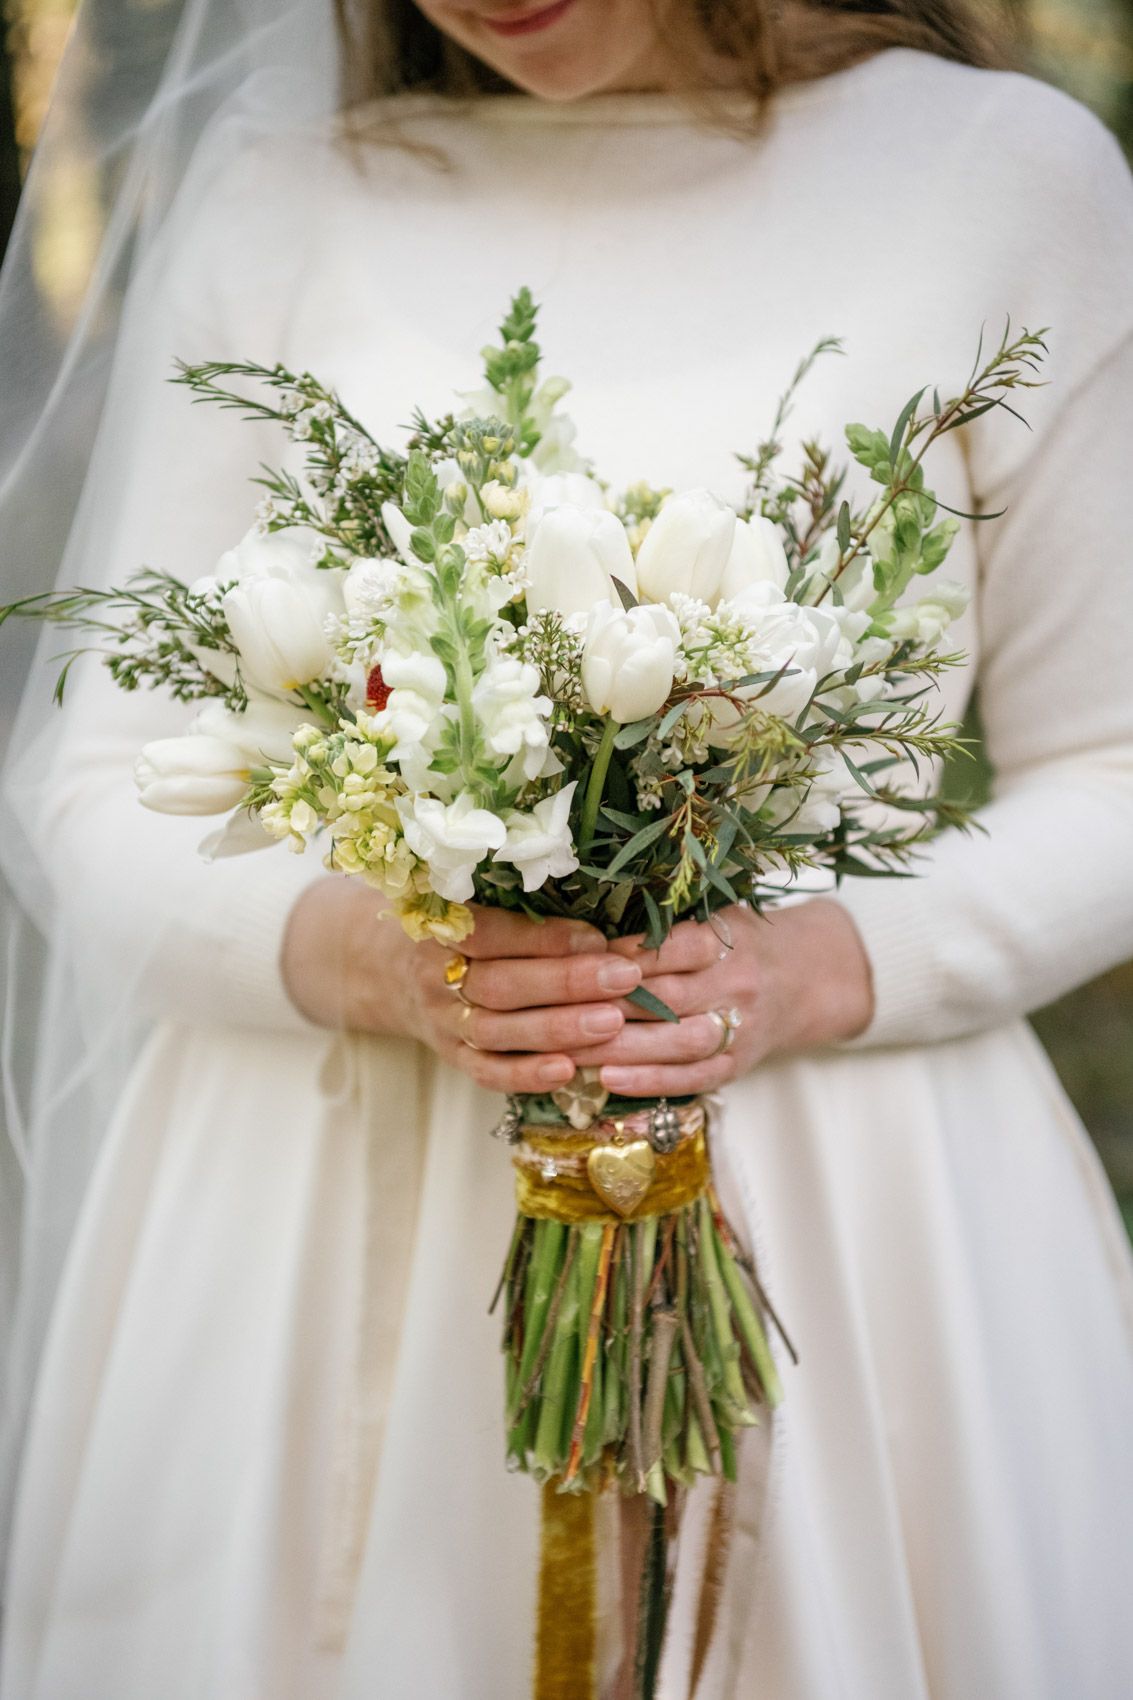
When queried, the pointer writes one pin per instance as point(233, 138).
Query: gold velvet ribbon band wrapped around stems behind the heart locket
point(680, 1179)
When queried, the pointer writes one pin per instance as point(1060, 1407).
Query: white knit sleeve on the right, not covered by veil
point(1006, 921)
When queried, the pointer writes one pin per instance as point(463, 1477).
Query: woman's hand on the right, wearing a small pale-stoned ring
point(795, 978)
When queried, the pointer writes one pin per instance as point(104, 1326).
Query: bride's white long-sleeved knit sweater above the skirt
point(902, 205)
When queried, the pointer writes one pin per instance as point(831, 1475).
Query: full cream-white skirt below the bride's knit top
point(266, 1458)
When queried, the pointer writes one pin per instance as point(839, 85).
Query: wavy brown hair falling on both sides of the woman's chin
point(390, 47)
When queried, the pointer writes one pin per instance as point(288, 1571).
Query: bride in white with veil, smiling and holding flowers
point(263, 1451)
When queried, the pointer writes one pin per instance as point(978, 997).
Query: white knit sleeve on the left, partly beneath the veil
point(169, 487)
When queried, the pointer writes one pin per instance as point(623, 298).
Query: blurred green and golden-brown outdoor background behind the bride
point(1086, 47)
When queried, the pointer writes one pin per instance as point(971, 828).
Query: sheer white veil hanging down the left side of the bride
point(147, 111)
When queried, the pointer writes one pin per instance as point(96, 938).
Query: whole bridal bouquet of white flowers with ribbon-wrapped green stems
point(474, 672)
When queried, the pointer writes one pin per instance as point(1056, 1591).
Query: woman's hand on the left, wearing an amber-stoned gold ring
point(537, 992)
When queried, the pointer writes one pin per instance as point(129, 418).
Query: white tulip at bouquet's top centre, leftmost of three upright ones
point(572, 557)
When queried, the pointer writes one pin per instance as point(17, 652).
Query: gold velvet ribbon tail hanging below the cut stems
point(567, 1614)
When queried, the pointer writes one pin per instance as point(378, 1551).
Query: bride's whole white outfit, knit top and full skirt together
point(266, 1453)
